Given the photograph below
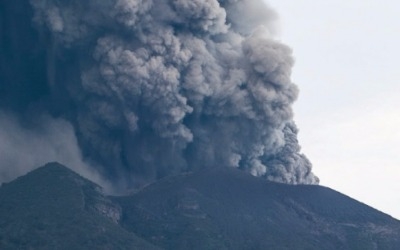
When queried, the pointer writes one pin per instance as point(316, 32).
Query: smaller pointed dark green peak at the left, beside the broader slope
point(54, 208)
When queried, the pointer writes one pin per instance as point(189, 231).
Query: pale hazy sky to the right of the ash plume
point(347, 67)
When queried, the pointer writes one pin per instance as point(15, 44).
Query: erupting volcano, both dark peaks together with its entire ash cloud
point(183, 106)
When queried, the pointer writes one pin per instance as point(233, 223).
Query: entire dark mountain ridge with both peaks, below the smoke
point(219, 208)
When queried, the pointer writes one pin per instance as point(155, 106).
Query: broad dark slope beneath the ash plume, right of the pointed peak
point(224, 208)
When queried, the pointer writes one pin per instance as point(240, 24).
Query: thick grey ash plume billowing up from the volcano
point(155, 88)
